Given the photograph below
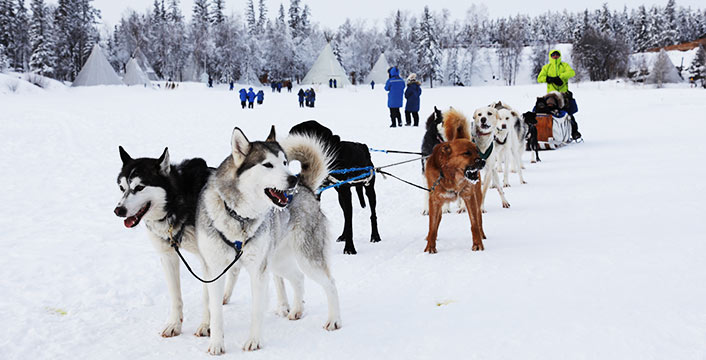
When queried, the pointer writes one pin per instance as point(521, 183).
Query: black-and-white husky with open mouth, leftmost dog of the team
point(165, 197)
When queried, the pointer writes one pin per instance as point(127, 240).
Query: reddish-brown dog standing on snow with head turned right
point(453, 171)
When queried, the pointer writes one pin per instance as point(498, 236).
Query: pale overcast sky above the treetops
point(331, 13)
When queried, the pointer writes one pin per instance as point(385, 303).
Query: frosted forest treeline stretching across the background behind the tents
point(261, 45)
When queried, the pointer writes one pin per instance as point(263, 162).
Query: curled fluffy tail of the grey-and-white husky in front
point(316, 158)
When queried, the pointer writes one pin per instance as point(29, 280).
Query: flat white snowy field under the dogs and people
point(601, 255)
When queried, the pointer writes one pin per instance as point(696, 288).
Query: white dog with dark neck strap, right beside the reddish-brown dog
point(485, 121)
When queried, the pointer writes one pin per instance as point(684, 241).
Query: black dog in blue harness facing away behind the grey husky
point(347, 155)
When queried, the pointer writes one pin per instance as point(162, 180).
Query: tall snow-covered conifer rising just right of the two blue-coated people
point(428, 49)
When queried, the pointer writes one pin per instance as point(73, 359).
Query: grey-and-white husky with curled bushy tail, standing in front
point(254, 199)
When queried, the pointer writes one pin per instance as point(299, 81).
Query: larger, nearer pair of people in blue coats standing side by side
point(395, 87)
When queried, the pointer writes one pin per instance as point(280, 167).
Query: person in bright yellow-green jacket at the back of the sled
point(557, 74)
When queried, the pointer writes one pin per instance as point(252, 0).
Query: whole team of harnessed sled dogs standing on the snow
point(258, 206)
